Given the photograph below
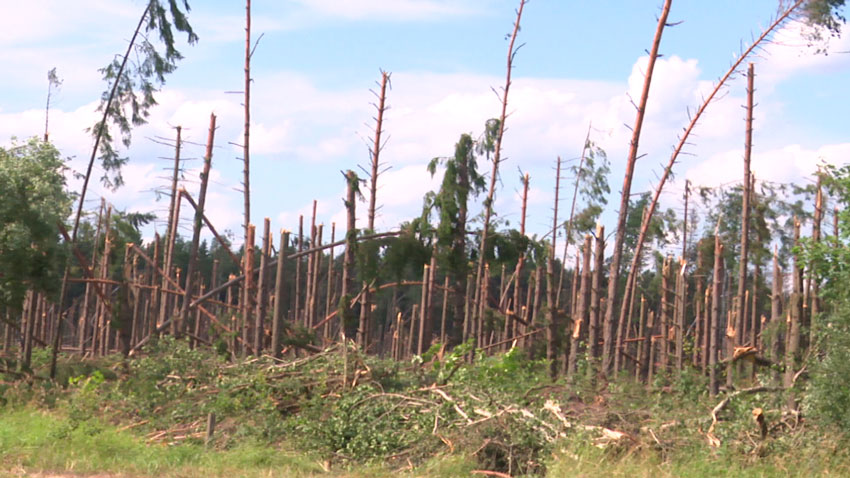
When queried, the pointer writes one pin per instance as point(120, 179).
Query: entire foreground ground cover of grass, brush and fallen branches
point(299, 420)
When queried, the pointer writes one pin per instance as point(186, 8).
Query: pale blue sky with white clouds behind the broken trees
point(317, 64)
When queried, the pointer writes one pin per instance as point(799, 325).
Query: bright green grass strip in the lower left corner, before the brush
point(43, 441)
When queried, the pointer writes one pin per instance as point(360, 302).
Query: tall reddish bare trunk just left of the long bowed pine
point(619, 239)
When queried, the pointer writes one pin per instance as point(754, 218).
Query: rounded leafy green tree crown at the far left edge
point(35, 202)
